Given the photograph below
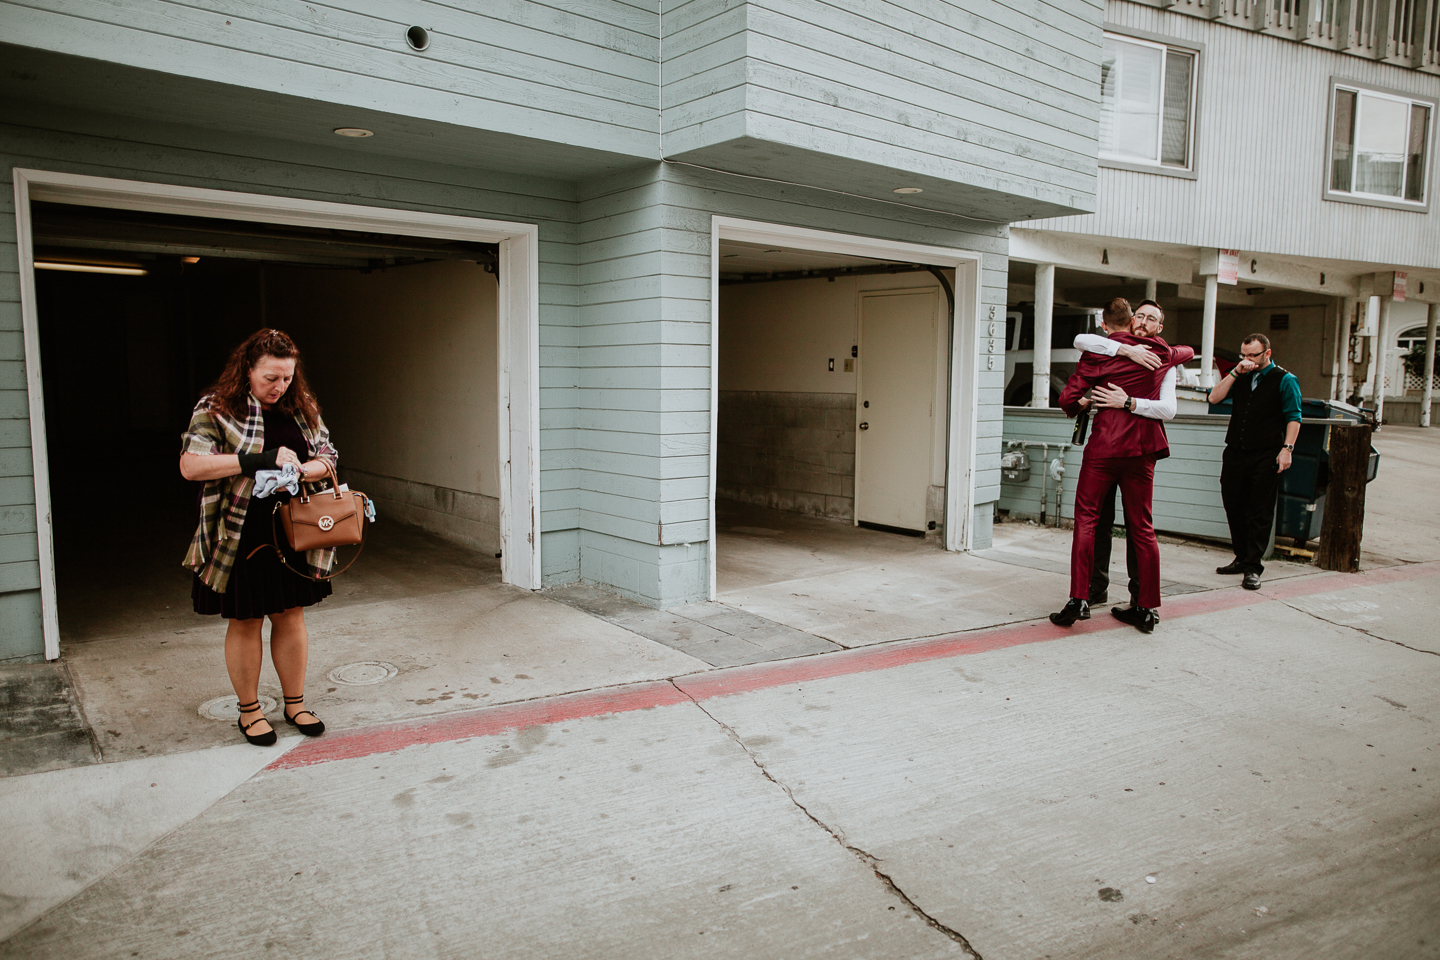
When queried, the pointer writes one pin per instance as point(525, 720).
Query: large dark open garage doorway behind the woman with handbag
point(132, 314)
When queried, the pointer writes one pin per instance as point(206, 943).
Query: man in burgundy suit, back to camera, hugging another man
point(1122, 450)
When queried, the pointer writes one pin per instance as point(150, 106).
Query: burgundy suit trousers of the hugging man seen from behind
point(1137, 480)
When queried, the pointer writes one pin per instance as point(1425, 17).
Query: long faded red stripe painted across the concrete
point(739, 680)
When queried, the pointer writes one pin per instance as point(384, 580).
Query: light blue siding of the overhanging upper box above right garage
point(1000, 99)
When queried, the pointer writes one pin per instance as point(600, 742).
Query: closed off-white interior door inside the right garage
point(895, 408)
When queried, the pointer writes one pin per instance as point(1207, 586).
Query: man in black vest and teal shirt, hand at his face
point(1264, 424)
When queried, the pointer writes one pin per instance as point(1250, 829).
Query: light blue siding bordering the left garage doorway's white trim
point(204, 159)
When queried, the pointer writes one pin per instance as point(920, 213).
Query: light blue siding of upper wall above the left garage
point(582, 74)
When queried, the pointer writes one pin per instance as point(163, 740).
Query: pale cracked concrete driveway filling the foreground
point(1256, 779)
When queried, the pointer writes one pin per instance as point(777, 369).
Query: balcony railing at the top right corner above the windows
point(1405, 32)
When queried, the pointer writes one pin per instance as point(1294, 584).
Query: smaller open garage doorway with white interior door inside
point(843, 402)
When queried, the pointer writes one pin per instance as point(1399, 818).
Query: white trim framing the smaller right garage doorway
point(964, 371)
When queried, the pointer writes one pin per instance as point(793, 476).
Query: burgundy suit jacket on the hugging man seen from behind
point(1121, 433)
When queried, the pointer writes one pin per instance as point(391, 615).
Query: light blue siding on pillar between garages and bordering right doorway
point(644, 333)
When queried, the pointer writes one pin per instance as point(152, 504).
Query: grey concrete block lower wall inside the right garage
point(788, 451)
